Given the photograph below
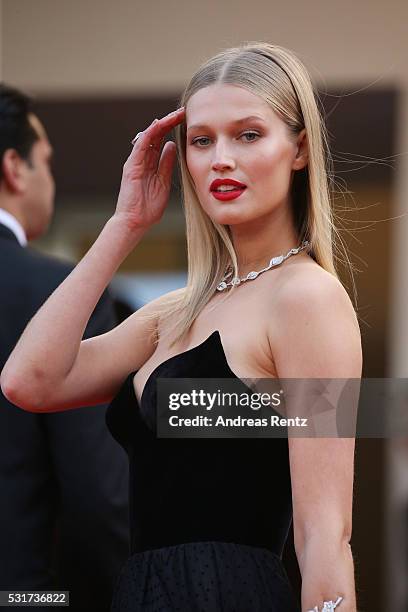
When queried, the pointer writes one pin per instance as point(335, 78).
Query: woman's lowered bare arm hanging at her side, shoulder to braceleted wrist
point(318, 337)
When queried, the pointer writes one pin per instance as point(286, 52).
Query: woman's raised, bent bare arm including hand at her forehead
point(51, 367)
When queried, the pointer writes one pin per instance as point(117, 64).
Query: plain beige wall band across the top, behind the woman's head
point(91, 46)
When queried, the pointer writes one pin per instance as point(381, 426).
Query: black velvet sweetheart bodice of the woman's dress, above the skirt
point(202, 489)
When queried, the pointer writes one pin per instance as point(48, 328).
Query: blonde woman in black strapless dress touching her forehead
point(210, 518)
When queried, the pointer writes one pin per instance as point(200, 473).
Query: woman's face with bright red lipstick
point(234, 134)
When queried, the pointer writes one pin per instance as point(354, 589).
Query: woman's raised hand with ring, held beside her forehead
point(146, 177)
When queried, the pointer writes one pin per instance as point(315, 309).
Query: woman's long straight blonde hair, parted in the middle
point(277, 76)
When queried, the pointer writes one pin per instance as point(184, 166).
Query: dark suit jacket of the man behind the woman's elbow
point(63, 479)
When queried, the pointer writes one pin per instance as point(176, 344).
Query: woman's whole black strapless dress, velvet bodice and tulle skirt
point(209, 517)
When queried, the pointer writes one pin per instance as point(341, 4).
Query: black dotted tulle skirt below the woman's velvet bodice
point(204, 577)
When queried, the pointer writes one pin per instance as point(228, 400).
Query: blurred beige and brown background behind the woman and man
point(100, 71)
